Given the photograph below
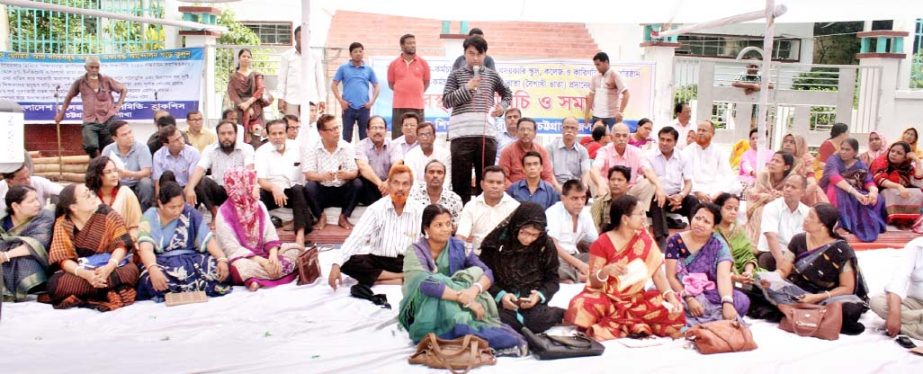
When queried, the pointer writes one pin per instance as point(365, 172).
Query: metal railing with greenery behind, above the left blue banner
point(43, 31)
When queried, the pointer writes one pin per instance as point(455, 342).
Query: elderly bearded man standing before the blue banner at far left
point(99, 106)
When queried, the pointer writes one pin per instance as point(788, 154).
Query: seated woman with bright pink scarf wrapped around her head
point(245, 233)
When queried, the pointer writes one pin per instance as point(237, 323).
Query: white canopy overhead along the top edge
point(621, 12)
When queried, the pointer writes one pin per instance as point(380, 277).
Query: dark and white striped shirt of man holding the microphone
point(471, 108)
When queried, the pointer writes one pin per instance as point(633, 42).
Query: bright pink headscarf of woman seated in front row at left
point(239, 183)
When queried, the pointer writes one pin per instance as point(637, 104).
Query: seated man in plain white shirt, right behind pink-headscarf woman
point(277, 167)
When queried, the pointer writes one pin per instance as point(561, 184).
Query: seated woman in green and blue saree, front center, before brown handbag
point(444, 289)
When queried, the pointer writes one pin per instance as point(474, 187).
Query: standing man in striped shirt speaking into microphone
point(469, 92)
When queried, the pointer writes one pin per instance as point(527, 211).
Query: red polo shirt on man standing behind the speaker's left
point(408, 81)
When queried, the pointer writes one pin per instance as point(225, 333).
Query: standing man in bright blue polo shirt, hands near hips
point(356, 77)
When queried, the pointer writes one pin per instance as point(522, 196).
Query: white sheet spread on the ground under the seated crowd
point(311, 329)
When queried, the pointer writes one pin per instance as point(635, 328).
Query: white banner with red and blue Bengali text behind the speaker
point(546, 90)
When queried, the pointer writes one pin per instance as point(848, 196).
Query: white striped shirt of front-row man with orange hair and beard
point(382, 232)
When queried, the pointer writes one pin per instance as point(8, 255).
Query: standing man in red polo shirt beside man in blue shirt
point(408, 77)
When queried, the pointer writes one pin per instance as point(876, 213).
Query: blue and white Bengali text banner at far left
point(170, 80)
